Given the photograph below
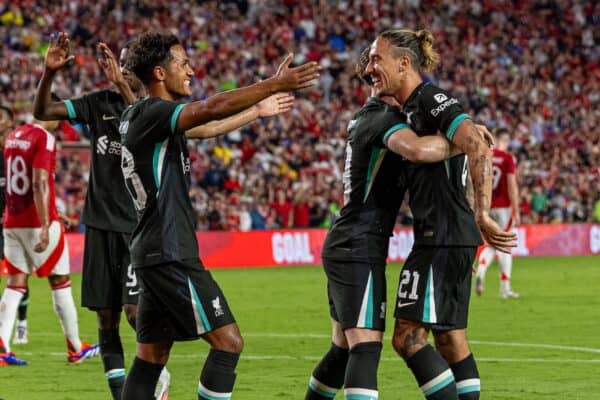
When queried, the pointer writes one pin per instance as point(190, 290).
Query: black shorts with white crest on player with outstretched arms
point(179, 301)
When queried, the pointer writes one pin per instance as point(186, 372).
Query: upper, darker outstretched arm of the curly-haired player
point(231, 102)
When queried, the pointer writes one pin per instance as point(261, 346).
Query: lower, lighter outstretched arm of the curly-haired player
point(273, 105)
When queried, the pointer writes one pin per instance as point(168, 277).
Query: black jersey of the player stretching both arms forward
point(156, 167)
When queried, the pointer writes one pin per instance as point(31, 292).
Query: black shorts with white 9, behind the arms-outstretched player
point(108, 280)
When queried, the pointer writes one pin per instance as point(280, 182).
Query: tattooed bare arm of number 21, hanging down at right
point(467, 138)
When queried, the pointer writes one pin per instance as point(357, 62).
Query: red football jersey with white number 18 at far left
point(27, 147)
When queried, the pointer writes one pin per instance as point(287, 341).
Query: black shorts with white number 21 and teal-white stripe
point(435, 286)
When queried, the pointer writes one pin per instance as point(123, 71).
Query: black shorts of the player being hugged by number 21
point(357, 293)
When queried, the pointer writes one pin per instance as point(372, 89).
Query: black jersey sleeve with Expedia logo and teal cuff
point(443, 109)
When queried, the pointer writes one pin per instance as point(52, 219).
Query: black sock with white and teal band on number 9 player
point(111, 351)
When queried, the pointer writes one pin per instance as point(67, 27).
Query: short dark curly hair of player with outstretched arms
point(148, 51)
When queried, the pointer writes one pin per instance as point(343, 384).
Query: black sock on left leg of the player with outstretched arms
point(141, 380)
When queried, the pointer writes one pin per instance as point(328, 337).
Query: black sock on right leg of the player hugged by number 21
point(361, 371)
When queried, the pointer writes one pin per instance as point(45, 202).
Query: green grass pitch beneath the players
point(545, 345)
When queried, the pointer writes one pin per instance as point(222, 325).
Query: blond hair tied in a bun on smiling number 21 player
point(418, 45)
